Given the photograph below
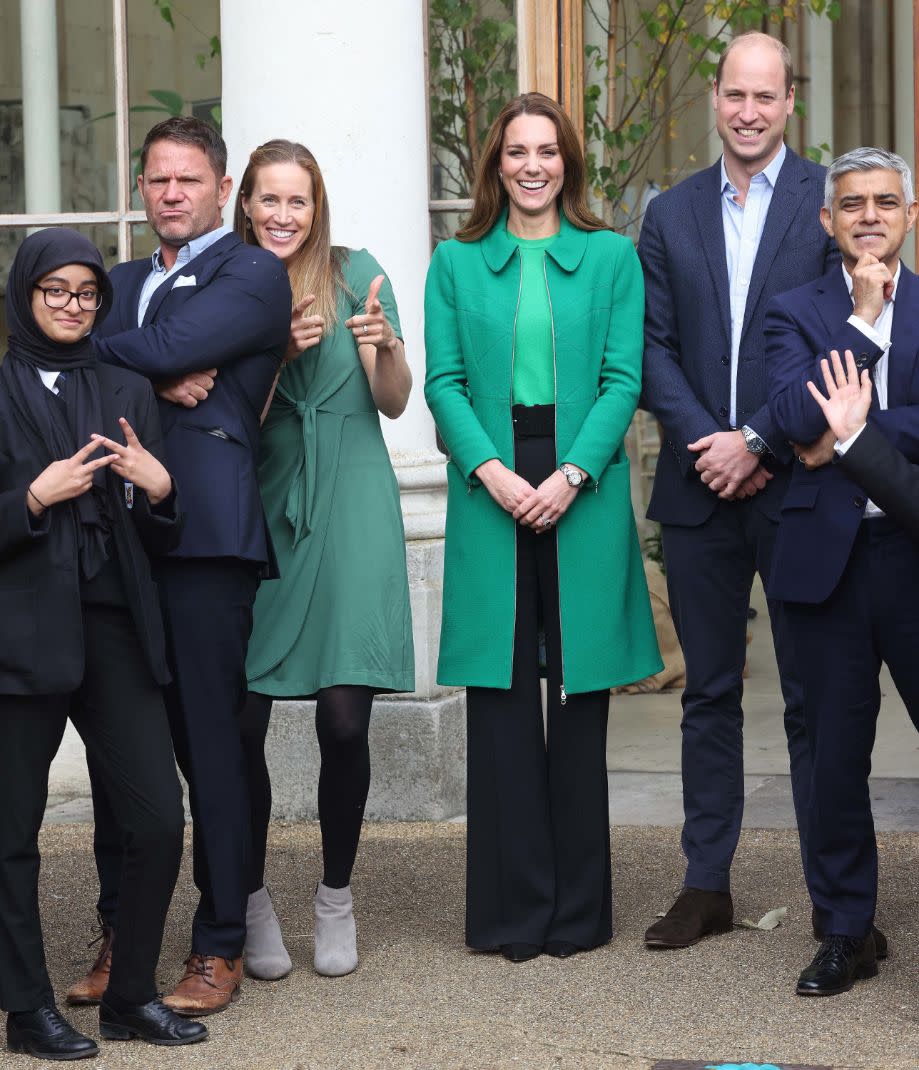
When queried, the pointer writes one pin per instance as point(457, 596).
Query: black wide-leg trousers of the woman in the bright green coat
point(539, 824)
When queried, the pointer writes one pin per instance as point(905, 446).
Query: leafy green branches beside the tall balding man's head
point(655, 71)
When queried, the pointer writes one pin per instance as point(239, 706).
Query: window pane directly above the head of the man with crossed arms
point(175, 67)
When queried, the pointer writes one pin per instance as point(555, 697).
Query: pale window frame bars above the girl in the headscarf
point(122, 217)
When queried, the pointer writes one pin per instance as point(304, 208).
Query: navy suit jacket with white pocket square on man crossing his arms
point(235, 317)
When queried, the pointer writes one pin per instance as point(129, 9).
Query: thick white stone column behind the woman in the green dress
point(349, 81)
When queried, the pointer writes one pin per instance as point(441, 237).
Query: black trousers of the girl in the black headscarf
point(119, 713)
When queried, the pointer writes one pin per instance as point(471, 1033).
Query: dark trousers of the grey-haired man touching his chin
point(870, 618)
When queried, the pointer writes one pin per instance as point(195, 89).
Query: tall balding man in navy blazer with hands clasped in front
point(715, 250)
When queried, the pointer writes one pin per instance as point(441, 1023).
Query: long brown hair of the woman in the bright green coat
point(489, 196)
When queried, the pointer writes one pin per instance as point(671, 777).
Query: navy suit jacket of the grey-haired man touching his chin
point(823, 509)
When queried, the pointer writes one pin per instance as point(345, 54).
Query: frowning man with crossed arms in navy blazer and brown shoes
point(206, 303)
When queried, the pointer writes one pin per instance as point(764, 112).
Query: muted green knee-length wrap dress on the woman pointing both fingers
point(341, 613)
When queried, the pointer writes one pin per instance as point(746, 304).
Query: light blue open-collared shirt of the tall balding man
point(743, 232)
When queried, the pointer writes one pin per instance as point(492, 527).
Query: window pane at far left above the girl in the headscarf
point(71, 147)
